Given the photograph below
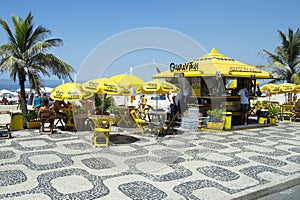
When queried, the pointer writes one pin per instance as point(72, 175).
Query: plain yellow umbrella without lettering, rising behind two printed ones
point(128, 80)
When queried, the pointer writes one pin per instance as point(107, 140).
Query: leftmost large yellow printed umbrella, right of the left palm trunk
point(69, 91)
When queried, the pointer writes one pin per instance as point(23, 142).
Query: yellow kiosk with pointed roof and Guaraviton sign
point(208, 76)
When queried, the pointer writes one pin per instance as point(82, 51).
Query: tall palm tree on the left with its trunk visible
point(24, 57)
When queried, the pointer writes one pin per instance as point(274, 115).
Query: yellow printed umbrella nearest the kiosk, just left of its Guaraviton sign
point(158, 87)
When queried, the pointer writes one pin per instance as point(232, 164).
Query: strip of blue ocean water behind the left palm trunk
point(9, 84)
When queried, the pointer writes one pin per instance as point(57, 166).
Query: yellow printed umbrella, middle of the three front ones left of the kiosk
point(102, 86)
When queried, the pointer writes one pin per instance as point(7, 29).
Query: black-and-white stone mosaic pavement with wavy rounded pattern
point(189, 165)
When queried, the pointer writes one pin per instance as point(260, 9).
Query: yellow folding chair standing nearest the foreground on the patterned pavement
point(102, 127)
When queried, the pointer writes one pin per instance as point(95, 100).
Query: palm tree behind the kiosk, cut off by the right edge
point(285, 61)
